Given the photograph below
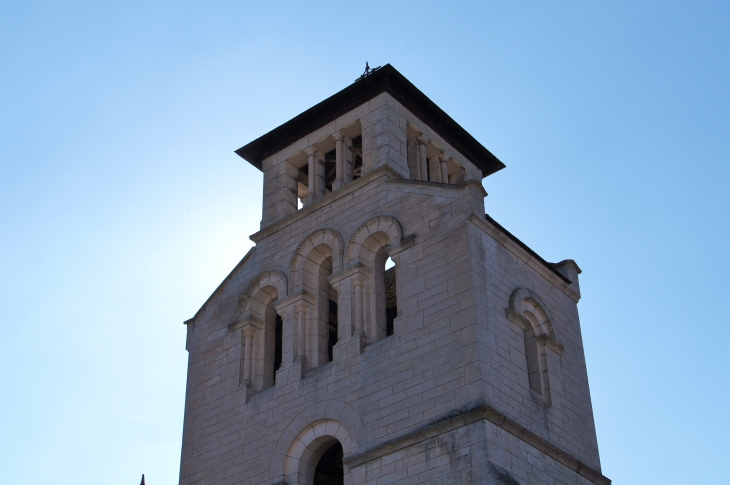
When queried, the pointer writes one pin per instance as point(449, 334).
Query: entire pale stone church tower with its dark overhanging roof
point(384, 329)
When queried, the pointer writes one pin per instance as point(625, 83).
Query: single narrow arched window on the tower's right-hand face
point(530, 314)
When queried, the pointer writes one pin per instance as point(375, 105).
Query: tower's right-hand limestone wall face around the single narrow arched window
point(568, 419)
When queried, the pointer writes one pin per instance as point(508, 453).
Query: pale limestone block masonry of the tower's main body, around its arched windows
point(453, 347)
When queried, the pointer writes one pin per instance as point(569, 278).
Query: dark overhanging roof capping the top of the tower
point(385, 79)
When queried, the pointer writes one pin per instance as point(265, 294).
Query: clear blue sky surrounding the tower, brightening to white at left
point(123, 206)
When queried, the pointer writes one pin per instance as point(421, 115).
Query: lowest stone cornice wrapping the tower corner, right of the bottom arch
point(469, 414)
